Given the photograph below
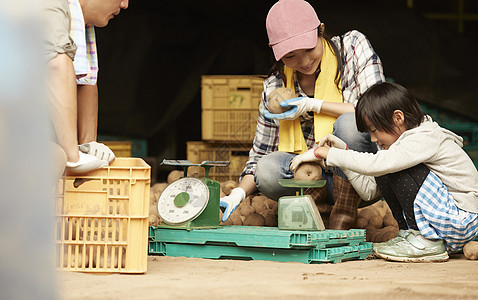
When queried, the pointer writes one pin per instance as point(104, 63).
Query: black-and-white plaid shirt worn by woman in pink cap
point(362, 69)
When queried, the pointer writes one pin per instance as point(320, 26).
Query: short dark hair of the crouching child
point(379, 102)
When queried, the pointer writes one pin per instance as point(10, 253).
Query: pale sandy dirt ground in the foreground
point(196, 278)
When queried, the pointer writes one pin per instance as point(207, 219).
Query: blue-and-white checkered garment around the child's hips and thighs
point(438, 217)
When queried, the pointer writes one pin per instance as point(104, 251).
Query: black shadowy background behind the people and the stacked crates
point(153, 54)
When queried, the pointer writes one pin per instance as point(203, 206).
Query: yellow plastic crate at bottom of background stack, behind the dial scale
point(237, 154)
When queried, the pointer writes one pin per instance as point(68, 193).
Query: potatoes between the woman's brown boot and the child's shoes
point(378, 221)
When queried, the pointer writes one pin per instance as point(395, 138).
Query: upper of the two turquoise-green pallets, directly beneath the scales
point(266, 237)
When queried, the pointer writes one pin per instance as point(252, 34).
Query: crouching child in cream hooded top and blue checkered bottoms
point(427, 179)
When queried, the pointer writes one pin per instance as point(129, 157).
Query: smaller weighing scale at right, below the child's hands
point(299, 212)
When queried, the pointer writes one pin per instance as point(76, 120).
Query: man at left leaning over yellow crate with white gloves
point(72, 73)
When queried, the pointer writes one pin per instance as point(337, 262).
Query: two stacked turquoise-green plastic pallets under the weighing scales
point(261, 243)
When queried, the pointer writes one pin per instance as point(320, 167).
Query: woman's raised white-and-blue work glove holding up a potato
point(300, 106)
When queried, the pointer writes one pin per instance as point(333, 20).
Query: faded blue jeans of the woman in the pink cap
point(276, 165)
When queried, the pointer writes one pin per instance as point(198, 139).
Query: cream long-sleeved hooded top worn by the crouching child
point(436, 147)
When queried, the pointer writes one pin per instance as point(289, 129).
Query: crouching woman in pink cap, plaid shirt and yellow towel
point(328, 75)
